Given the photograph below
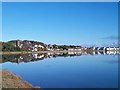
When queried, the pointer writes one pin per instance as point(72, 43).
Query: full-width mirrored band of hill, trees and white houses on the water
point(18, 58)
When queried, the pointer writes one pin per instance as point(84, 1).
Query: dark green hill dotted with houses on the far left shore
point(25, 45)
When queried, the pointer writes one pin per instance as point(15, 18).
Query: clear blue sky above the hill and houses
point(61, 23)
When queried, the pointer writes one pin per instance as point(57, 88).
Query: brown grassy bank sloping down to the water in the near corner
point(10, 80)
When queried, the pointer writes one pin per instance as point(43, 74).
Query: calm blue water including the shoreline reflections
point(65, 70)
